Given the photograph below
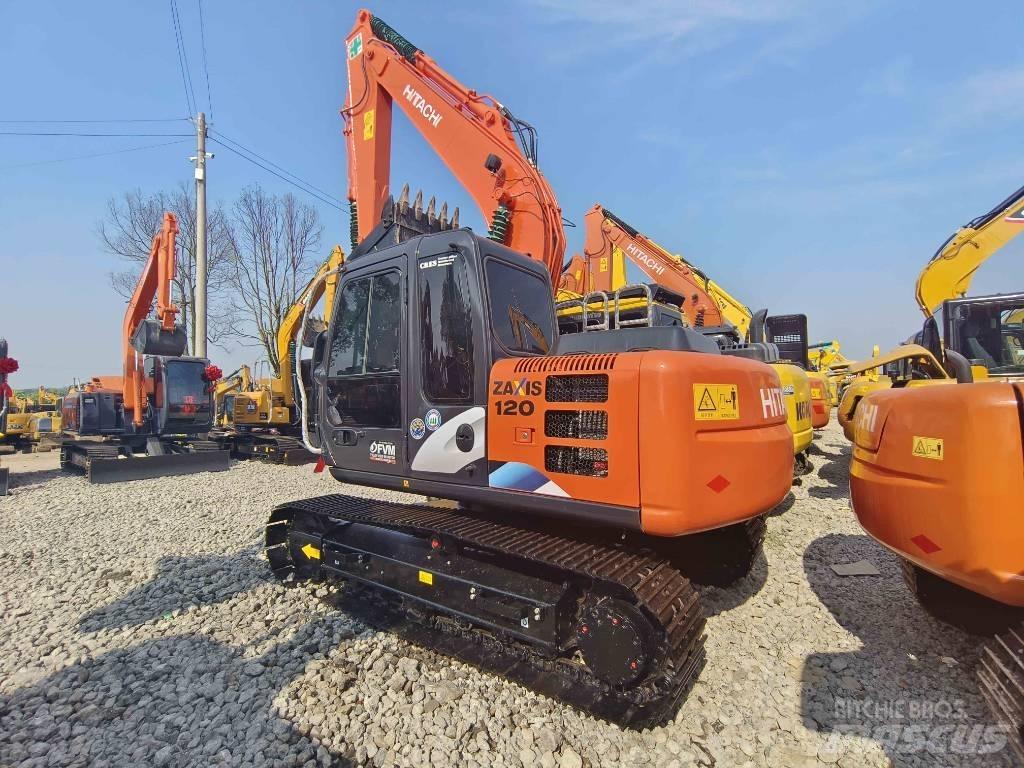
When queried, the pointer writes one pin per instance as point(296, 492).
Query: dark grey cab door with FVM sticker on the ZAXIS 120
point(362, 410)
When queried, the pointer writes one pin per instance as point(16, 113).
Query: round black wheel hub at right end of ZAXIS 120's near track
point(616, 642)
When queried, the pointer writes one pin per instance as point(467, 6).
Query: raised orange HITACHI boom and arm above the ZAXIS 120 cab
point(488, 150)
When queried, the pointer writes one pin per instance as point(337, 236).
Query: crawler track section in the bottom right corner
point(1001, 677)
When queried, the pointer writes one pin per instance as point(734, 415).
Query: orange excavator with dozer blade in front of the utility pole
point(151, 421)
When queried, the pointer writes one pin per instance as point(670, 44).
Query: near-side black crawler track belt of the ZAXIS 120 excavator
point(669, 599)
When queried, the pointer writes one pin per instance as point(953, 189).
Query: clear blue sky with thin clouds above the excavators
point(809, 155)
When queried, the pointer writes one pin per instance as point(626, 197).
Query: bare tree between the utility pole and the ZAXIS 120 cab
point(274, 241)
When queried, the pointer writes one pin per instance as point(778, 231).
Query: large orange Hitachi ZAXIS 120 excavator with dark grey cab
point(582, 465)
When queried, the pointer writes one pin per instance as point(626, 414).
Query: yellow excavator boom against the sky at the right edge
point(949, 274)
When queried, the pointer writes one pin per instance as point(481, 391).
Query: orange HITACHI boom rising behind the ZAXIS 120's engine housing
point(610, 241)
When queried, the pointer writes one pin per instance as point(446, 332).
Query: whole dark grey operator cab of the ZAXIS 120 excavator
point(403, 381)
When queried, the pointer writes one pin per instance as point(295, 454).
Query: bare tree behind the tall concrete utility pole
point(127, 232)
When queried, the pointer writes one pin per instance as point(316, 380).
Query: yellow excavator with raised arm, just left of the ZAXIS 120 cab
point(265, 421)
